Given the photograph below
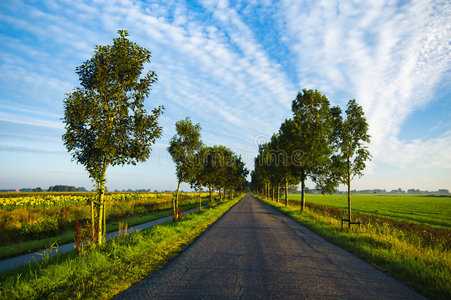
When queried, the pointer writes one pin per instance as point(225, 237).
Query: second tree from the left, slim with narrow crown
point(183, 148)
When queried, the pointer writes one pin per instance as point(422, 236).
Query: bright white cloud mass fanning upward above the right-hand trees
point(388, 56)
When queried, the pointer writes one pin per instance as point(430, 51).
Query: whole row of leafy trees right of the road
point(319, 143)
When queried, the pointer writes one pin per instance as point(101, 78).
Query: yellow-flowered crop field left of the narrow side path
point(28, 223)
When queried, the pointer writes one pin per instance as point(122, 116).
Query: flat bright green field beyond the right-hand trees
point(429, 210)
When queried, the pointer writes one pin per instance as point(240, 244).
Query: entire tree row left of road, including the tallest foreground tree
point(107, 124)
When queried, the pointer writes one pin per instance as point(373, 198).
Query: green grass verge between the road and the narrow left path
point(104, 272)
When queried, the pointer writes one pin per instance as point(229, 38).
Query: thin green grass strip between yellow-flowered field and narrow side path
point(68, 236)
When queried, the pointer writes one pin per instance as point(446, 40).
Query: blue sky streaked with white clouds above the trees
point(234, 67)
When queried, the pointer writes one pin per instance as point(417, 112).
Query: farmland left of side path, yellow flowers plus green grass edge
point(34, 221)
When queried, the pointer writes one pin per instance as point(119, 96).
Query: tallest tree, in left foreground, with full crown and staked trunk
point(105, 119)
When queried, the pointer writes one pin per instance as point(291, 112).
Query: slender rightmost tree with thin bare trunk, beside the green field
point(350, 138)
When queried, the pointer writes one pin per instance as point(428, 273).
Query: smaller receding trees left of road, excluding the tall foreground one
point(214, 167)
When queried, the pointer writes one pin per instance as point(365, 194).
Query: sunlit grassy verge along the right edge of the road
point(425, 268)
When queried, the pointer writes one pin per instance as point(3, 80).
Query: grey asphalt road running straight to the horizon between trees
point(255, 252)
